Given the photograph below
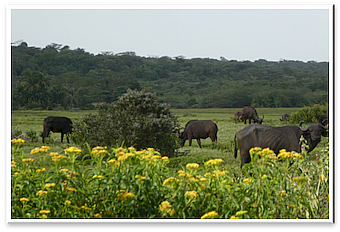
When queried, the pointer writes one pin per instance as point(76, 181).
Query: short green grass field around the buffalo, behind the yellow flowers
point(24, 121)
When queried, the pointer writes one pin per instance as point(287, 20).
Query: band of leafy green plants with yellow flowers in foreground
point(138, 184)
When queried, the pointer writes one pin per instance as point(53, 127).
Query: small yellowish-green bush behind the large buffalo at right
point(309, 114)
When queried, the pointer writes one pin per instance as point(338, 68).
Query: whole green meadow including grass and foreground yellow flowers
point(210, 178)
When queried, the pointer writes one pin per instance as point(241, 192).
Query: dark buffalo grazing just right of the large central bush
point(199, 129)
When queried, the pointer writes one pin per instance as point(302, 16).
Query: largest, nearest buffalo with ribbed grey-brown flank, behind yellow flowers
point(277, 138)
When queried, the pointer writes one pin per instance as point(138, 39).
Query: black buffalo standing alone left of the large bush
point(61, 125)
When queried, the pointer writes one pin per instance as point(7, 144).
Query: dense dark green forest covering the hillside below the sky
point(57, 77)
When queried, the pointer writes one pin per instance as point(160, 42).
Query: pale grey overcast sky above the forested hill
point(241, 34)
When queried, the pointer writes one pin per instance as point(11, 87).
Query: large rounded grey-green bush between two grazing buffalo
point(135, 119)
